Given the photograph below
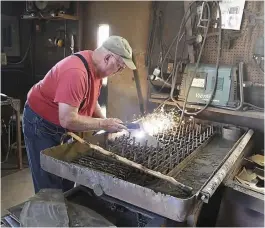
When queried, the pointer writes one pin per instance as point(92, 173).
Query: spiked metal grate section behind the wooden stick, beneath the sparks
point(173, 146)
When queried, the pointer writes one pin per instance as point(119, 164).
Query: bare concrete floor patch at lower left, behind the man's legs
point(15, 189)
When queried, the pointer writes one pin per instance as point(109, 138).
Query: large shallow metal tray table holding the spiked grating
point(191, 153)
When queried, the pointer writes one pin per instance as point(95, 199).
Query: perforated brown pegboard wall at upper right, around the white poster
point(243, 45)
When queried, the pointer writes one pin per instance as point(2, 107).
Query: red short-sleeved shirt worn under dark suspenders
point(67, 82)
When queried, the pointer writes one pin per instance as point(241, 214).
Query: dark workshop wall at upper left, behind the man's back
point(18, 79)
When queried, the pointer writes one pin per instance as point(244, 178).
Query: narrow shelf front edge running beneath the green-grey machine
point(249, 114)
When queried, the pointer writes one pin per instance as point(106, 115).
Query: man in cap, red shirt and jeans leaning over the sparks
point(66, 100)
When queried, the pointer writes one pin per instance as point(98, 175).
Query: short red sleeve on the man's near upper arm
point(72, 87)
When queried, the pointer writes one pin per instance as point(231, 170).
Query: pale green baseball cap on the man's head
point(120, 46)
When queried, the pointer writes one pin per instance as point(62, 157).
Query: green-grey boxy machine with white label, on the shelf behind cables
point(203, 84)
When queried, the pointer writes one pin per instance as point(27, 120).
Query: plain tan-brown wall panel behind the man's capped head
point(130, 20)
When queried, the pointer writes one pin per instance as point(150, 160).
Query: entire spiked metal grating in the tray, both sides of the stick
point(174, 145)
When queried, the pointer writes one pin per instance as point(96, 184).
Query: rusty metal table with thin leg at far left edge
point(15, 104)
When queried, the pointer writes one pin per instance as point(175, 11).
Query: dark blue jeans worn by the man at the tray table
point(39, 134)
